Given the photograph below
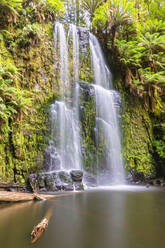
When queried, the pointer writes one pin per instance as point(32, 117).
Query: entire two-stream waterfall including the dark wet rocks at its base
point(64, 164)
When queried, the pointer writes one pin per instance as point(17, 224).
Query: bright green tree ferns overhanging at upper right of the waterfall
point(135, 32)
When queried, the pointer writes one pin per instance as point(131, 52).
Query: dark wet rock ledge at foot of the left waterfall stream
point(57, 181)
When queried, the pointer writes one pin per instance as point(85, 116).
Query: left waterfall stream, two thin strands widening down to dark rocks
point(65, 132)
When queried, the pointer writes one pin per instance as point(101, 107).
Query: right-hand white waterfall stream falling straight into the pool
point(107, 127)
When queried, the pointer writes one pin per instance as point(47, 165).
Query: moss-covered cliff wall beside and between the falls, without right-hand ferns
point(27, 65)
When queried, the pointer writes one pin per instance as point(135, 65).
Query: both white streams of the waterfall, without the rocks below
point(65, 145)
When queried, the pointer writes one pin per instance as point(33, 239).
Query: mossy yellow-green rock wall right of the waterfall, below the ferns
point(137, 136)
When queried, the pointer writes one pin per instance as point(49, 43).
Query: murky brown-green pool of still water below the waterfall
point(116, 218)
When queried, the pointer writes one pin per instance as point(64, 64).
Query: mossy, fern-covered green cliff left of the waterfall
point(26, 83)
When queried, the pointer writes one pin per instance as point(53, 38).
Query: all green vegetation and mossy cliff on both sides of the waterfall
point(132, 34)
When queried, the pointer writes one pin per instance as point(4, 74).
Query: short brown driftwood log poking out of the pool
point(41, 227)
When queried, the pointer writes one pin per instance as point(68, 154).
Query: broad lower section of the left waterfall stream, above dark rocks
point(65, 135)
